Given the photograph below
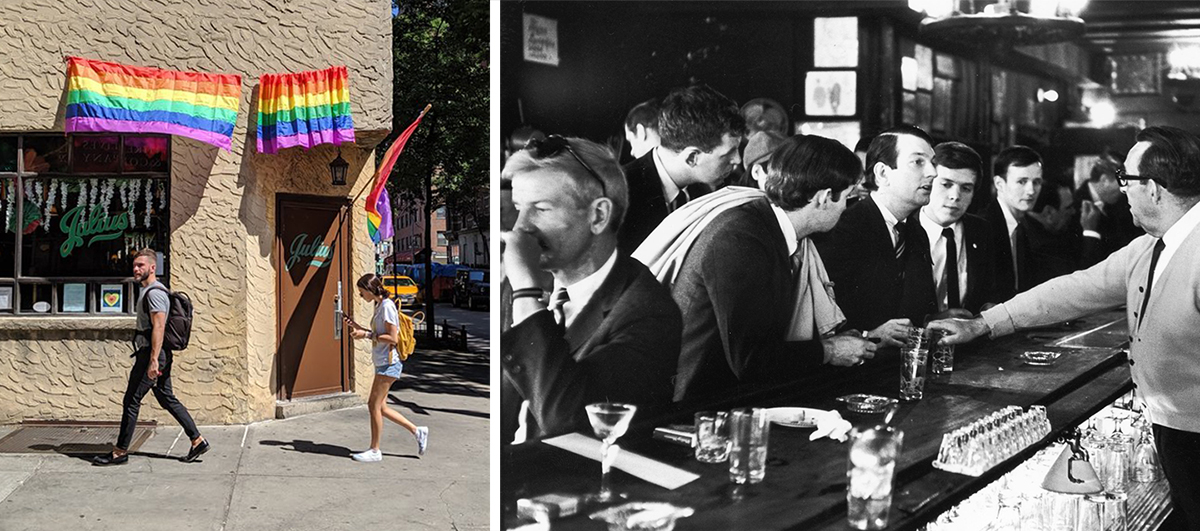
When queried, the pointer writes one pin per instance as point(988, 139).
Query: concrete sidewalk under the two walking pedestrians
point(283, 475)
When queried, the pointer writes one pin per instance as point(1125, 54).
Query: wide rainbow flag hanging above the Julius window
point(112, 98)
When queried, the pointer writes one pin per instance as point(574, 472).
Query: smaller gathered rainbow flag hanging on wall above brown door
point(305, 109)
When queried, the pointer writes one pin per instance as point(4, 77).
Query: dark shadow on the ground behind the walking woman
point(446, 373)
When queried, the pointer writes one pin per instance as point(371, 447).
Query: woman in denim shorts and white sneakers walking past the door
point(385, 335)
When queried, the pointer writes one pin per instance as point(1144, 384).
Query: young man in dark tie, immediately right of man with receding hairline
point(958, 242)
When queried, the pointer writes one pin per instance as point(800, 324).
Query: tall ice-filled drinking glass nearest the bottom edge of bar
point(872, 469)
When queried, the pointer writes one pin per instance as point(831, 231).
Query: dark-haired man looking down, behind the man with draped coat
point(699, 133)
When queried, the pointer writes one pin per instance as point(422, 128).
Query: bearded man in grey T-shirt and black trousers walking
point(152, 366)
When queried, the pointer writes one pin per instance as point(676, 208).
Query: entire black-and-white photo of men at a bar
point(923, 265)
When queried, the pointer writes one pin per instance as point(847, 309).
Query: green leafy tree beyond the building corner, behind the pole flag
point(440, 57)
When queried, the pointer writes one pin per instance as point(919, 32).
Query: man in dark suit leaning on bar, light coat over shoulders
point(737, 288)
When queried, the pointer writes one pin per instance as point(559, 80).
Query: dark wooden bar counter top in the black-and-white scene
point(806, 482)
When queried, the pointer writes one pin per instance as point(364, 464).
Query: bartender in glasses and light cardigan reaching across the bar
point(1156, 279)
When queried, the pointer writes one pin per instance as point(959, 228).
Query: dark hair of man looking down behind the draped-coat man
point(699, 117)
